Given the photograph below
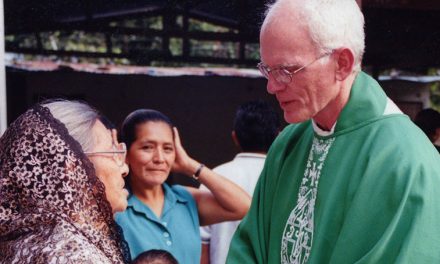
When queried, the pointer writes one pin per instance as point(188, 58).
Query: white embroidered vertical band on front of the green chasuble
point(297, 237)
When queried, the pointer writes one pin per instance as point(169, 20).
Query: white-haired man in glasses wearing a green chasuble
point(353, 180)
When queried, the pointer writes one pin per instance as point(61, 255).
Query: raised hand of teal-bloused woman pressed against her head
point(183, 163)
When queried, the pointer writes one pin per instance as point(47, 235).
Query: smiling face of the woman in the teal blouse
point(151, 155)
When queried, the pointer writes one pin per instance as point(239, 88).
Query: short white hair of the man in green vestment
point(331, 24)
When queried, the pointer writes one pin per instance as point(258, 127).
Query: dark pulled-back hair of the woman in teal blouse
point(137, 117)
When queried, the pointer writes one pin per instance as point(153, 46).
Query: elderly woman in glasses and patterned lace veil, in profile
point(61, 181)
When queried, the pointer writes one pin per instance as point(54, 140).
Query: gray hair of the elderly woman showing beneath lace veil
point(79, 119)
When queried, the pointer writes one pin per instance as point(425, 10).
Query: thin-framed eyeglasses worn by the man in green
point(283, 74)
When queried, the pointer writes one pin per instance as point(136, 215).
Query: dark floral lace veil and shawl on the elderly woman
point(52, 205)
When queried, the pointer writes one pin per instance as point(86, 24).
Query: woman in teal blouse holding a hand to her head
point(160, 216)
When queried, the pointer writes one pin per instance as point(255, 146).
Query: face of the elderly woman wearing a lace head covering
point(108, 170)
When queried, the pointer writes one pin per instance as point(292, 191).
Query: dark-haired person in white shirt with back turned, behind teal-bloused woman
point(256, 125)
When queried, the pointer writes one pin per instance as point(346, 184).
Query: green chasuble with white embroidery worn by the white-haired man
point(369, 192)
